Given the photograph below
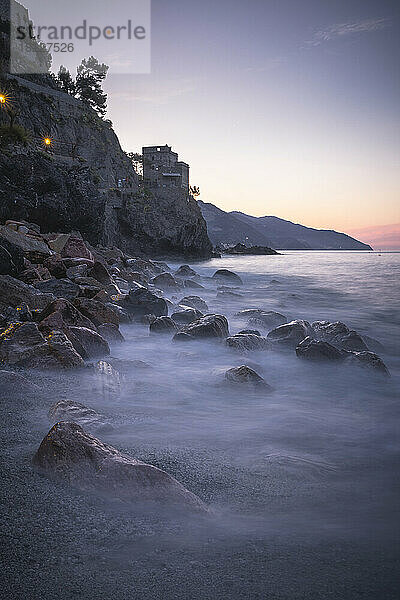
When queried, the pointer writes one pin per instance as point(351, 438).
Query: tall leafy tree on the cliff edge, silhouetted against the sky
point(90, 75)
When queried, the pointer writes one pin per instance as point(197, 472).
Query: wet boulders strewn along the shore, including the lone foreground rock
point(62, 302)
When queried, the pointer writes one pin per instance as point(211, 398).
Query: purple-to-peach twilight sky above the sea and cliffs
point(281, 107)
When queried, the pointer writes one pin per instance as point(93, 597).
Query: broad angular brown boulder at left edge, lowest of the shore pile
point(25, 346)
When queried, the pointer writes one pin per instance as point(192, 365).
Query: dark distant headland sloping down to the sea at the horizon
point(233, 227)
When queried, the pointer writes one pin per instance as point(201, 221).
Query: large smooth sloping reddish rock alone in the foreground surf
point(69, 453)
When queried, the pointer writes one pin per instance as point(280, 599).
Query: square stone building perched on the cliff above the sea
point(161, 168)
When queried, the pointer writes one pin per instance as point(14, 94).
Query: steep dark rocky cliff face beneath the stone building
point(86, 182)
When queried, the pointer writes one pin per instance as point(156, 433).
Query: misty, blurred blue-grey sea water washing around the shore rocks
point(302, 480)
